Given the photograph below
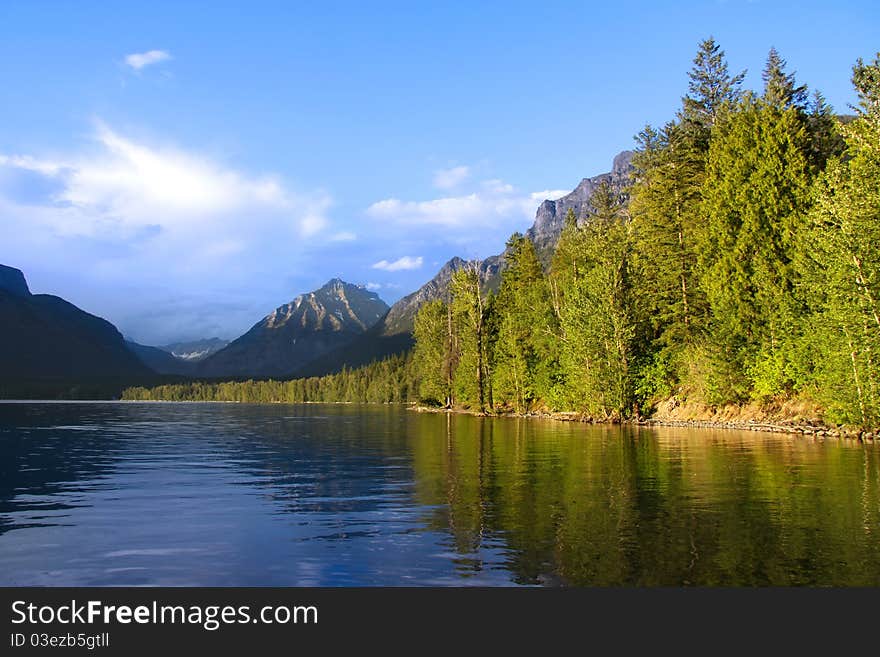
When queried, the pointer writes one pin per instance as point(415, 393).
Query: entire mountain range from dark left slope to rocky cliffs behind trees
point(337, 325)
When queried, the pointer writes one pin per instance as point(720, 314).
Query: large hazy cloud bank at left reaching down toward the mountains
point(139, 220)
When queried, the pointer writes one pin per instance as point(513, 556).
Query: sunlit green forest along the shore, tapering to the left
point(740, 269)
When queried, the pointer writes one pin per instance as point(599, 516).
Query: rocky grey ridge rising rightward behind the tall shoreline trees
point(393, 333)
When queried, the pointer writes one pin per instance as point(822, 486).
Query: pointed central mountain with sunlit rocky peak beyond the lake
point(290, 337)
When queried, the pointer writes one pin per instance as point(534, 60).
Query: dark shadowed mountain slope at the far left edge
point(44, 337)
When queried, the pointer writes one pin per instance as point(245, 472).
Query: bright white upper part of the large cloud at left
point(126, 186)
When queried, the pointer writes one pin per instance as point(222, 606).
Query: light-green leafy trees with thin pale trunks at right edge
point(841, 267)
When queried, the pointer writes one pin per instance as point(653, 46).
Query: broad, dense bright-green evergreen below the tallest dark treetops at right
point(755, 194)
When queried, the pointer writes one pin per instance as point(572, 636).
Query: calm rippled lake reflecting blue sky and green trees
point(335, 495)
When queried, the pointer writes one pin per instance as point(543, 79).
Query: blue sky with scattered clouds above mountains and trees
point(183, 168)
